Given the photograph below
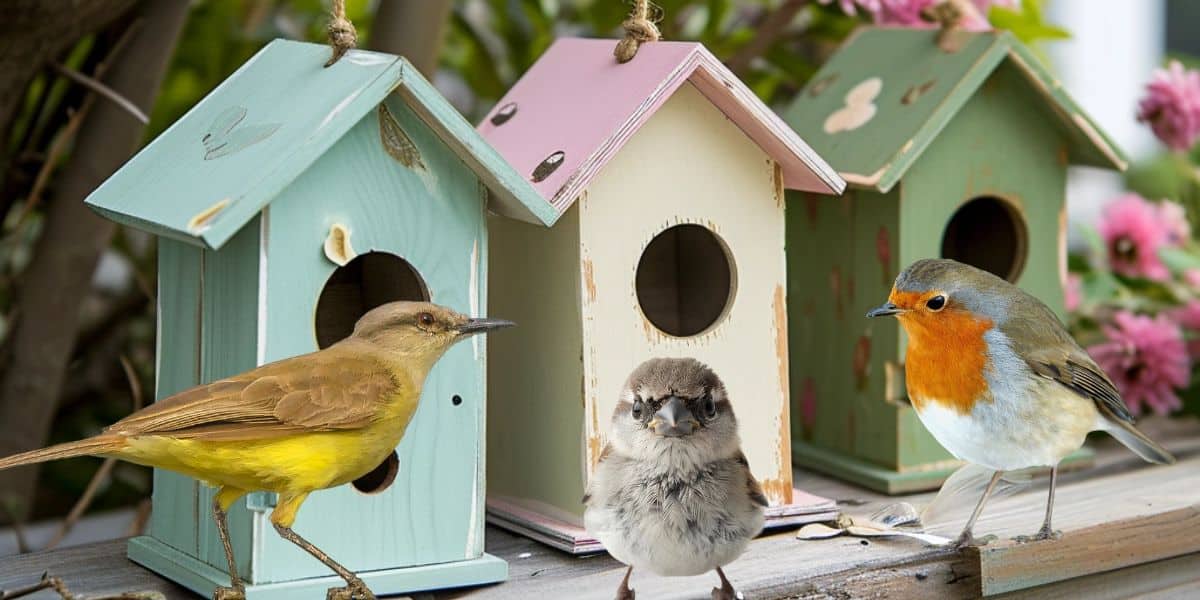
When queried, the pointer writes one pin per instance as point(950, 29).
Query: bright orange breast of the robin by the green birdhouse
point(946, 361)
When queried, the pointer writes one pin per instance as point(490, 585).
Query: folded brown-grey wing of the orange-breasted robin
point(1043, 343)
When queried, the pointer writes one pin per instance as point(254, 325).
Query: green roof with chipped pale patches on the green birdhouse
point(887, 93)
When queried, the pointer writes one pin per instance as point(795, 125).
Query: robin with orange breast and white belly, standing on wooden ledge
point(998, 380)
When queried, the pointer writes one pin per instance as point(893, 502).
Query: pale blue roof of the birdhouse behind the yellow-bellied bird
point(231, 155)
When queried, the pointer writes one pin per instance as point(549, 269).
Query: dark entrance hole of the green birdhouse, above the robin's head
point(989, 233)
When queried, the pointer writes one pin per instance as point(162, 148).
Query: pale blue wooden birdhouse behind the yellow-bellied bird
point(287, 203)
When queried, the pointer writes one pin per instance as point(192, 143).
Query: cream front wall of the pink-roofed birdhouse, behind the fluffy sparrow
point(689, 166)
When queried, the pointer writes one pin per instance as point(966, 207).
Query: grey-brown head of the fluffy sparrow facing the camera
point(671, 405)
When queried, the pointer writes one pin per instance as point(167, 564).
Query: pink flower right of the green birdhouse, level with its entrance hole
point(1133, 231)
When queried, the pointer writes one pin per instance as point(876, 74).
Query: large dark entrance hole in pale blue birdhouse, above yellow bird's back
point(368, 281)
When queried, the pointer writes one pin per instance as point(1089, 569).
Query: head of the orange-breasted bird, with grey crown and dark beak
point(935, 285)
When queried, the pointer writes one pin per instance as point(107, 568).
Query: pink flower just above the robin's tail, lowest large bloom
point(1147, 359)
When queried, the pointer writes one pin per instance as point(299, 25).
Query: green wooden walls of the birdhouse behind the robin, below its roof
point(1003, 161)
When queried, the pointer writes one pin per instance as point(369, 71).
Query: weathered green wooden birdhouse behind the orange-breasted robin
point(953, 146)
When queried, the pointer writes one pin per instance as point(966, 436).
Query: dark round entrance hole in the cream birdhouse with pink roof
point(686, 280)
